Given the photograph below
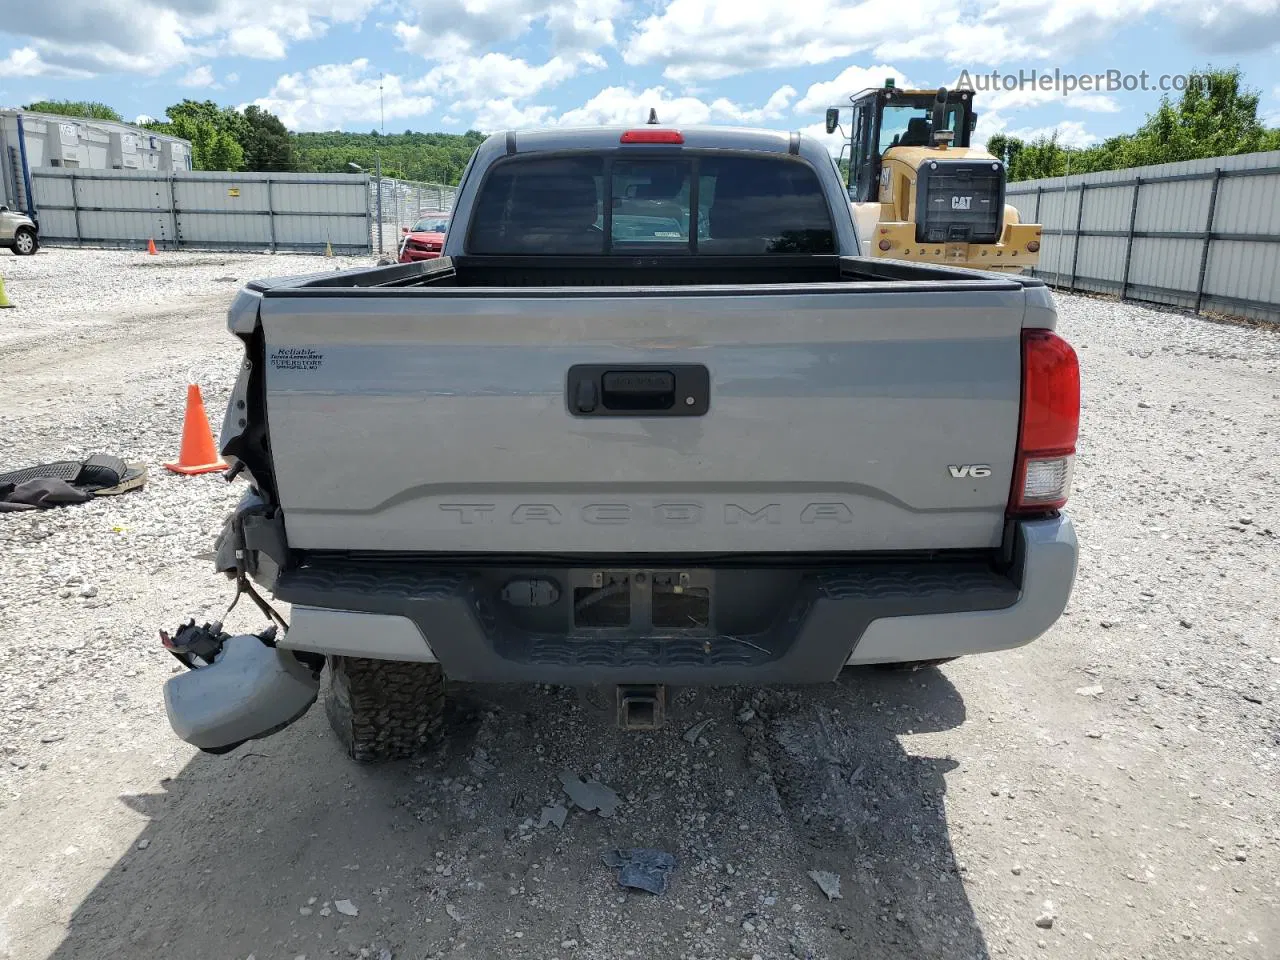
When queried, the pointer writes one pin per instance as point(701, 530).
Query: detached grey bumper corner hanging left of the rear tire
point(252, 691)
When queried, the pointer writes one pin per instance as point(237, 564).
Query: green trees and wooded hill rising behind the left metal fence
point(226, 139)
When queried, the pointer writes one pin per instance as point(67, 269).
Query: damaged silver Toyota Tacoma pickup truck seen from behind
point(651, 420)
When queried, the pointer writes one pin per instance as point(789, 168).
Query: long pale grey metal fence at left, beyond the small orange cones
point(195, 211)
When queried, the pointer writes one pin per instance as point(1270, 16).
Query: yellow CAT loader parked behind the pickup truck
point(921, 193)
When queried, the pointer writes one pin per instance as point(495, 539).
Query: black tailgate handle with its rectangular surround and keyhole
point(623, 390)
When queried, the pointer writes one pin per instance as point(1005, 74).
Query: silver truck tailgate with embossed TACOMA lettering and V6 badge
point(836, 419)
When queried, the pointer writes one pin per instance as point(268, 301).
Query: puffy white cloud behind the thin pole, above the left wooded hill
point(339, 95)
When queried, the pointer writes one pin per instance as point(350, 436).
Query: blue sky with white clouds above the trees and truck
point(492, 65)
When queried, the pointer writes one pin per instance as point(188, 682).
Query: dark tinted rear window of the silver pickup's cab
point(688, 204)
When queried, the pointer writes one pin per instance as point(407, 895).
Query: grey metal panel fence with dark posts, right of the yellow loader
point(1200, 235)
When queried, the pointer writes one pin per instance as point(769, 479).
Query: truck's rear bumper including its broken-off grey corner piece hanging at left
point(756, 628)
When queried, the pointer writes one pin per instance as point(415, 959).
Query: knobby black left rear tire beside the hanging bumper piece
point(385, 710)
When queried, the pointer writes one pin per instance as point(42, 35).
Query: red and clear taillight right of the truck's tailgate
point(1049, 426)
